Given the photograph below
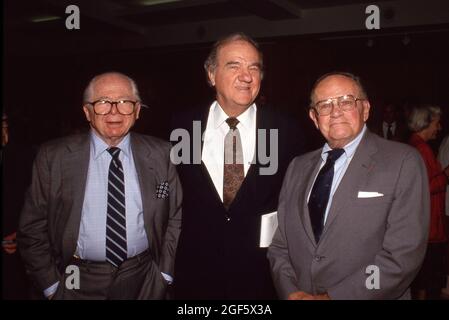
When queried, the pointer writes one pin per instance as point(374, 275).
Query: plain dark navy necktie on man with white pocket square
point(319, 196)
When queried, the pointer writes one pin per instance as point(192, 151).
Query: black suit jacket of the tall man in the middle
point(219, 258)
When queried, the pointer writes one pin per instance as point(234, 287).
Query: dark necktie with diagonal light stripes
point(116, 215)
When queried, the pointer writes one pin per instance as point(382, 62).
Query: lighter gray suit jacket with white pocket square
point(389, 232)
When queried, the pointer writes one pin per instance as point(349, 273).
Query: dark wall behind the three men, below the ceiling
point(42, 94)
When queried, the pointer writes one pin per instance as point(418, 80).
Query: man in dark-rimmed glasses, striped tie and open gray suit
point(102, 217)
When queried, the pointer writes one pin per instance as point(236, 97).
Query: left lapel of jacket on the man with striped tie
point(74, 171)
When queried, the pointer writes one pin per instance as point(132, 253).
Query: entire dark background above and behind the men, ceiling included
point(163, 46)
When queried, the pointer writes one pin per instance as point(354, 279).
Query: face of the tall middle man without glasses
point(236, 76)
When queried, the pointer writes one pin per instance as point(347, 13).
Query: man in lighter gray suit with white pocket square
point(353, 216)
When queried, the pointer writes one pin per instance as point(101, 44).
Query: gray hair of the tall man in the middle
point(211, 62)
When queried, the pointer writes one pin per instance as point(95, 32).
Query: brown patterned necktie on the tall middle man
point(233, 163)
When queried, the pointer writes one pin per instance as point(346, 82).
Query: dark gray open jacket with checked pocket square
point(50, 219)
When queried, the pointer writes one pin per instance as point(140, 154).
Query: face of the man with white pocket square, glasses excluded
point(339, 127)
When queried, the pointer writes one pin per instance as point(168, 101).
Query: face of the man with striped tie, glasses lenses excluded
point(112, 127)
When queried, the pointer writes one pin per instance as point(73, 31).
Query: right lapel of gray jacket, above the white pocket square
point(354, 177)
